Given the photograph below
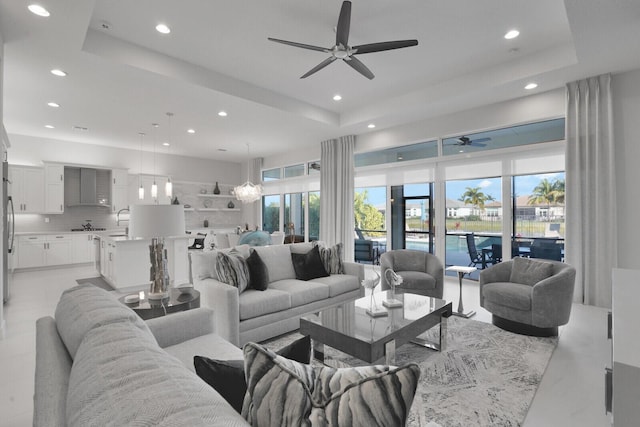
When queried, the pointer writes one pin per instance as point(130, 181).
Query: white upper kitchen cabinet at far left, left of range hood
point(26, 187)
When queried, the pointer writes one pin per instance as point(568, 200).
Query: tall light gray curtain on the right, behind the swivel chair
point(590, 189)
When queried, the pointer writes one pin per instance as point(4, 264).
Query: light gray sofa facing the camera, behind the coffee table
point(255, 315)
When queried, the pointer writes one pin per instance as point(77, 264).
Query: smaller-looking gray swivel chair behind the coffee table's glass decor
point(422, 273)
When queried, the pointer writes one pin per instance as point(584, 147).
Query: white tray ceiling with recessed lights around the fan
point(217, 57)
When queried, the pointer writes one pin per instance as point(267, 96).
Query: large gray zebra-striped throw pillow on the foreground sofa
point(305, 395)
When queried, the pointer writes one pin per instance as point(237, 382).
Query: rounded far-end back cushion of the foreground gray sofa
point(85, 307)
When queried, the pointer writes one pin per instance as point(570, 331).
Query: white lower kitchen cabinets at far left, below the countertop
point(44, 250)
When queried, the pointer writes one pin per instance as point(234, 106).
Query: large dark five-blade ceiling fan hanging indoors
point(342, 50)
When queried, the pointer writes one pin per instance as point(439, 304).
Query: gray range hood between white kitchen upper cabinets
point(87, 188)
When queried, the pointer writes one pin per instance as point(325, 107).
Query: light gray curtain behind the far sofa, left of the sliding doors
point(336, 193)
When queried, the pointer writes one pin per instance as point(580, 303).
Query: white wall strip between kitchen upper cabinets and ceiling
point(29, 150)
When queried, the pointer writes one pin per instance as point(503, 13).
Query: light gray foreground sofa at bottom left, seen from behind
point(98, 363)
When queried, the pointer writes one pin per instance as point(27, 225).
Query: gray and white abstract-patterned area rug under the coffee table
point(485, 377)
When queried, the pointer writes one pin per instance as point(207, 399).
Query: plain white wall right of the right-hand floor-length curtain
point(626, 115)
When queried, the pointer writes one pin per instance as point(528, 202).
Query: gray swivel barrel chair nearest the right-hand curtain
point(528, 296)
